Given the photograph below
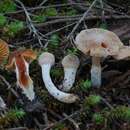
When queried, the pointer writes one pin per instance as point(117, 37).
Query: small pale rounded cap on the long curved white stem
point(46, 58)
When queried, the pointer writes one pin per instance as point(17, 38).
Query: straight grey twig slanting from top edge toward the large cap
point(82, 19)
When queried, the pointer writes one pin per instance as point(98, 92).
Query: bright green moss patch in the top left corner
point(7, 6)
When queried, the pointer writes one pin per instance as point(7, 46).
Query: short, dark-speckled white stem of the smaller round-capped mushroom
point(69, 79)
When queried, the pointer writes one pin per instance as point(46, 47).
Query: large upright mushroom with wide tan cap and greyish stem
point(98, 43)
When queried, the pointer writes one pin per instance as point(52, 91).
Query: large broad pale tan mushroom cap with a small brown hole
point(98, 42)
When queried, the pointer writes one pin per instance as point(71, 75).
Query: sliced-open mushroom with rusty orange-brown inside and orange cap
point(19, 61)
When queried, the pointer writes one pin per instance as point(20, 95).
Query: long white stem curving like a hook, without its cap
point(59, 95)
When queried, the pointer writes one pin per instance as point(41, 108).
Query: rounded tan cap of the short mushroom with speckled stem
point(70, 61)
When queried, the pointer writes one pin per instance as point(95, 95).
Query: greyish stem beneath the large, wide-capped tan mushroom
point(96, 72)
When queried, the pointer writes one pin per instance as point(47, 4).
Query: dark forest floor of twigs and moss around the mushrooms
point(50, 25)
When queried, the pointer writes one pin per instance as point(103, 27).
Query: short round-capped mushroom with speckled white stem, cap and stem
point(70, 64)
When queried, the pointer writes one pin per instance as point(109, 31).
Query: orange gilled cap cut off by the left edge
point(4, 50)
